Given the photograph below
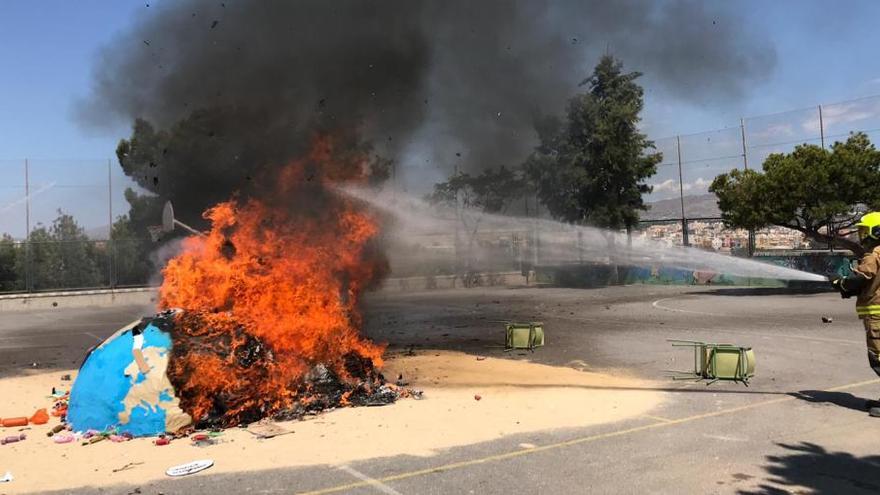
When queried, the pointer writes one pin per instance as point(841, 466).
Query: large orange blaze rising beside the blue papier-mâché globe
point(272, 292)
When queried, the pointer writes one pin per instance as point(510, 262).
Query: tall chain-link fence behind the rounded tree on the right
point(683, 211)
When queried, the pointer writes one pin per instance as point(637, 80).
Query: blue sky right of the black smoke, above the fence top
point(825, 52)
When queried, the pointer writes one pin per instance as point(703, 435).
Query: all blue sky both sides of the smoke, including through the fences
point(825, 53)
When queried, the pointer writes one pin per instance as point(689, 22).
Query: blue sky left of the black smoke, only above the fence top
point(48, 48)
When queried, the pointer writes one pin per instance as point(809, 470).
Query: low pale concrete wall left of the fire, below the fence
point(145, 296)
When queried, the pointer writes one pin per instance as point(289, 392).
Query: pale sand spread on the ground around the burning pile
point(516, 397)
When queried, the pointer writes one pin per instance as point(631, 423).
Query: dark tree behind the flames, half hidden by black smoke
point(213, 153)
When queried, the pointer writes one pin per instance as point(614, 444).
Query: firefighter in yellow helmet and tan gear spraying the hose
point(864, 283)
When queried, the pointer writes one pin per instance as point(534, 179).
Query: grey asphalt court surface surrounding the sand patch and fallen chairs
point(799, 428)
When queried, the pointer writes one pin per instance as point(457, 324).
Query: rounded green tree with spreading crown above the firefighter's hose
point(820, 193)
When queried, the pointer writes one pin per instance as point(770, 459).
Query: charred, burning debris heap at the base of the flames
point(219, 369)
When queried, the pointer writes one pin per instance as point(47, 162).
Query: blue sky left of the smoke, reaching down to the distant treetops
point(47, 49)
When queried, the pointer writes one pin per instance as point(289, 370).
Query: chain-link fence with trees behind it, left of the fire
point(62, 224)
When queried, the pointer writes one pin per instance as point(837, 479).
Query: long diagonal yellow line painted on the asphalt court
point(575, 441)
